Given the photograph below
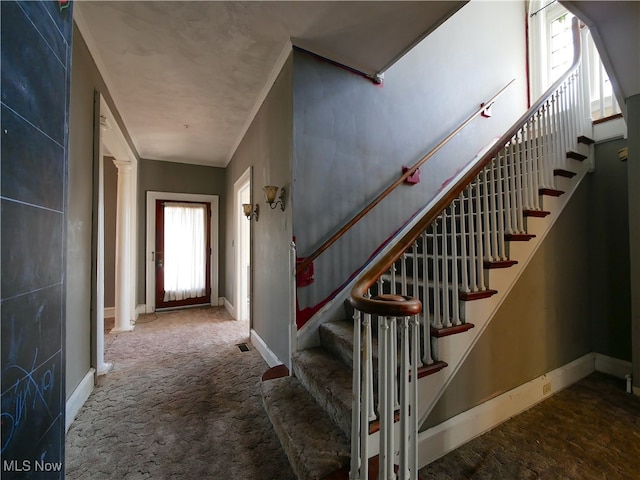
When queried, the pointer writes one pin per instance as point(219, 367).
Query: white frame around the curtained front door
point(150, 269)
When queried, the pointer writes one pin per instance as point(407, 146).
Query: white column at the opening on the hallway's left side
point(123, 320)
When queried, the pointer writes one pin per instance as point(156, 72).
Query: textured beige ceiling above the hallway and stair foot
point(187, 77)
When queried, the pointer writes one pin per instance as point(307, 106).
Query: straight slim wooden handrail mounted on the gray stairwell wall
point(355, 219)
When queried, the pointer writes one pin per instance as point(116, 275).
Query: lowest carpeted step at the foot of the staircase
point(314, 444)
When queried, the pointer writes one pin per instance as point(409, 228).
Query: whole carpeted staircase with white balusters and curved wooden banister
point(423, 305)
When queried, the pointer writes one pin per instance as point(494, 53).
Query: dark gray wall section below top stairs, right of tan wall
point(610, 303)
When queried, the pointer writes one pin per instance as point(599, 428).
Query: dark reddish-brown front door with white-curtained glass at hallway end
point(183, 253)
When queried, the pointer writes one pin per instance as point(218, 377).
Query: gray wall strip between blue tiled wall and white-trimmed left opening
point(80, 267)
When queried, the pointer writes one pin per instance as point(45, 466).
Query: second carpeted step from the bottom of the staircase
point(329, 381)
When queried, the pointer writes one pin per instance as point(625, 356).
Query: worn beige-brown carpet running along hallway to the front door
point(182, 402)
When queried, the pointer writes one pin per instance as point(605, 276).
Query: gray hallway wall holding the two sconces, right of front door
point(267, 148)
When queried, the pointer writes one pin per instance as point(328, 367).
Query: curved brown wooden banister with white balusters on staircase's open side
point(416, 287)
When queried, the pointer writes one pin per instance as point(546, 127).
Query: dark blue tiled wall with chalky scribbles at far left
point(36, 69)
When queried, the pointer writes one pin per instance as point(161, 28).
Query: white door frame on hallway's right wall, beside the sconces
point(243, 182)
